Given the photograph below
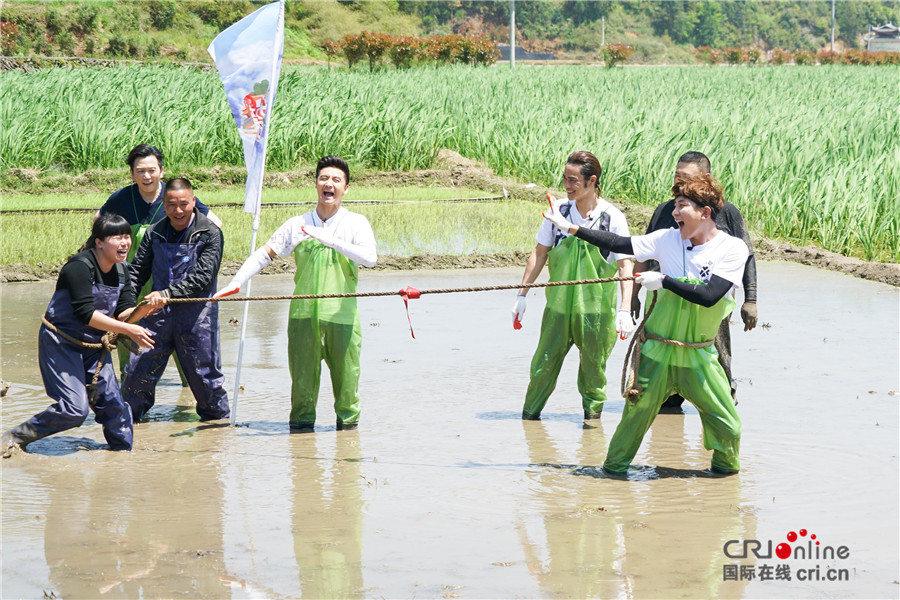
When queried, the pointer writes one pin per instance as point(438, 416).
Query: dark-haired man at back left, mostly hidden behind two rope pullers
point(141, 205)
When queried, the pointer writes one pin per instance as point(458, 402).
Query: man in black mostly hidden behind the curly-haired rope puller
point(729, 220)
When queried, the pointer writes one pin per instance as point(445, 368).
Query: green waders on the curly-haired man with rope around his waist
point(694, 373)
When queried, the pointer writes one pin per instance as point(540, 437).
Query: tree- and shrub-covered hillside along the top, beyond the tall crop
point(661, 31)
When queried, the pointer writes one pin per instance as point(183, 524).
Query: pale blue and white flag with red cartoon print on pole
point(248, 57)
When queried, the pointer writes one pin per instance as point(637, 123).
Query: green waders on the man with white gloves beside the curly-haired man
point(583, 315)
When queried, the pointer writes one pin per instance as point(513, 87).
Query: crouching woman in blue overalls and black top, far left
point(93, 294)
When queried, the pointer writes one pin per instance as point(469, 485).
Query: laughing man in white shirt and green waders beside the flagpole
point(328, 244)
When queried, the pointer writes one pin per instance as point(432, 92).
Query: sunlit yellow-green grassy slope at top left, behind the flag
point(180, 31)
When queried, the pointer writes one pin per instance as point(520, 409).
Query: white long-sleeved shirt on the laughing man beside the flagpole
point(352, 232)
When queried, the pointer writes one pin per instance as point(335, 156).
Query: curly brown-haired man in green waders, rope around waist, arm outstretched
point(700, 266)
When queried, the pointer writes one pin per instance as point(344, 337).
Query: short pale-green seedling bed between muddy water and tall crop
point(401, 230)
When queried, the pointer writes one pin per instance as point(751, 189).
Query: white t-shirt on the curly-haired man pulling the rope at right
point(723, 255)
